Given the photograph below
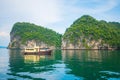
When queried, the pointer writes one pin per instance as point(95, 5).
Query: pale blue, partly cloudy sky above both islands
point(54, 14)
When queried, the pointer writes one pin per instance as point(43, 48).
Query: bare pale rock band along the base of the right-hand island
point(86, 45)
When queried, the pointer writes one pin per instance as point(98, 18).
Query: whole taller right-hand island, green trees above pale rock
point(89, 33)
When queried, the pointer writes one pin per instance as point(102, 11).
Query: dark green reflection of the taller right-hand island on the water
point(89, 64)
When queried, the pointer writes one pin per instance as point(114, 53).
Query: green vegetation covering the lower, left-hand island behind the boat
point(28, 31)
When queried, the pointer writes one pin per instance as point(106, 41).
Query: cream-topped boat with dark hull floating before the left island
point(37, 50)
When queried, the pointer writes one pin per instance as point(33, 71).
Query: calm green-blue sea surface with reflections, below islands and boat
point(60, 65)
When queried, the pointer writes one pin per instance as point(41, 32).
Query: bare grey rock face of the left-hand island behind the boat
point(16, 43)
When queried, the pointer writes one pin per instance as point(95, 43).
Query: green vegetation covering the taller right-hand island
point(89, 28)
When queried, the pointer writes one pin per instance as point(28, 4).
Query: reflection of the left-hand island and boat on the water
point(21, 66)
